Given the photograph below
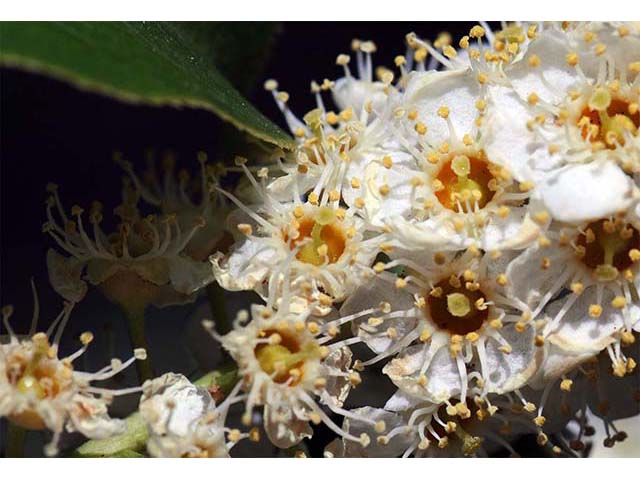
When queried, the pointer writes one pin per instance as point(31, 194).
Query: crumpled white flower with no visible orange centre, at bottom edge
point(184, 421)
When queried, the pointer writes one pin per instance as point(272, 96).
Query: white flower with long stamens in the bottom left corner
point(39, 390)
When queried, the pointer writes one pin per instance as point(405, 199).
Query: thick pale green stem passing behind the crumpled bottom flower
point(135, 438)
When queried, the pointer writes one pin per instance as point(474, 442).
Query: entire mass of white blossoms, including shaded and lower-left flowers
point(464, 227)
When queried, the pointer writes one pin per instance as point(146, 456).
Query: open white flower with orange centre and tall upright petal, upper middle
point(453, 195)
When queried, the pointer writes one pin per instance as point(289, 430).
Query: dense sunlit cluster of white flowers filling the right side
point(472, 218)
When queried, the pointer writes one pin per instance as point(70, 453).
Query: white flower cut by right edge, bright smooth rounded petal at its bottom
point(572, 100)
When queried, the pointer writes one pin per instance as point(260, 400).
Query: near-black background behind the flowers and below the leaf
point(53, 132)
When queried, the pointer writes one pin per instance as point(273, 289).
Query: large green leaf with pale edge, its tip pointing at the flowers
point(146, 62)
